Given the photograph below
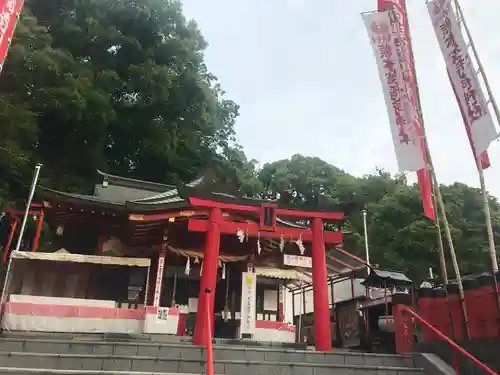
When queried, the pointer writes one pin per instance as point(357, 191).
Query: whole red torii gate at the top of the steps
point(216, 225)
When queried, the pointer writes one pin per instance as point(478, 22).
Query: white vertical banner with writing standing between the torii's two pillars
point(248, 302)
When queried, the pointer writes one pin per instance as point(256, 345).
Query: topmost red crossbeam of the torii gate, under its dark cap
point(197, 202)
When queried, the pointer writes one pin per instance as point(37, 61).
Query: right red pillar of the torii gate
point(322, 331)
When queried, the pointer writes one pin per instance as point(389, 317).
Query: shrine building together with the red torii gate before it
point(185, 239)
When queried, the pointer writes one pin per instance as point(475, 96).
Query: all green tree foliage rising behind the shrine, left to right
point(122, 86)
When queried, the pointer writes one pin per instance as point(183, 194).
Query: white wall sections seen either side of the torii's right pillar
point(342, 292)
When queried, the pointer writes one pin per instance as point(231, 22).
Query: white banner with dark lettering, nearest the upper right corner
point(463, 75)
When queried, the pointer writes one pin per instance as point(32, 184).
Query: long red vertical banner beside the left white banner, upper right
point(401, 31)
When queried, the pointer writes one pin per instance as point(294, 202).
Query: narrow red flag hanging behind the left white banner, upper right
point(424, 180)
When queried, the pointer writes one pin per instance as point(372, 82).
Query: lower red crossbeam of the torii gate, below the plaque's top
point(253, 229)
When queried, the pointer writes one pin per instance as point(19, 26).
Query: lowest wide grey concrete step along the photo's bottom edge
point(129, 363)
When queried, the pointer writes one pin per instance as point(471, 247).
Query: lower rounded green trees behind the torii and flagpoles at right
point(400, 236)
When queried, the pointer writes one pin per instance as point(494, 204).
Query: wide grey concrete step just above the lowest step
point(180, 351)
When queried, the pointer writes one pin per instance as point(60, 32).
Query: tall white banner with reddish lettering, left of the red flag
point(391, 54)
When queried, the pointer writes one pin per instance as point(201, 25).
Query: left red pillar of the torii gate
point(208, 277)
